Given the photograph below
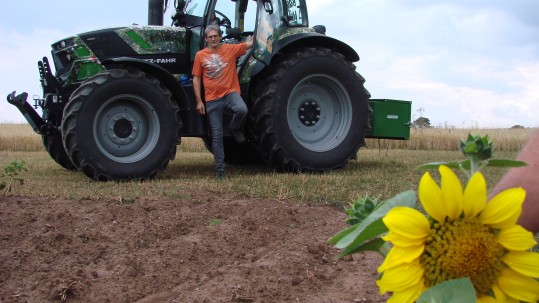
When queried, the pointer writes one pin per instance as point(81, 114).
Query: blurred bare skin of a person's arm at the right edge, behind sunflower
point(528, 178)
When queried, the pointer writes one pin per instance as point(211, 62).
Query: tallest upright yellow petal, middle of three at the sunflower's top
point(452, 196)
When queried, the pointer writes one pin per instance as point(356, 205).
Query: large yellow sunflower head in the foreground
point(464, 237)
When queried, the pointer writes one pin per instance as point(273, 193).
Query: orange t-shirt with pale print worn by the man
point(218, 70)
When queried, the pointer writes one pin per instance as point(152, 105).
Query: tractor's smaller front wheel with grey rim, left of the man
point(121, 125)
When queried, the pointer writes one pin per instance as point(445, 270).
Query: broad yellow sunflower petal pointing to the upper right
point(503, 210)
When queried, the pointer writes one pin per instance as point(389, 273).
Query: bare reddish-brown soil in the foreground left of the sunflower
point(223, 249)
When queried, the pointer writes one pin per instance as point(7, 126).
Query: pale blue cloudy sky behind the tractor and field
point(462, 63)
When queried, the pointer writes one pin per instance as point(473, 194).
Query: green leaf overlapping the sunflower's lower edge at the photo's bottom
point(459, 290)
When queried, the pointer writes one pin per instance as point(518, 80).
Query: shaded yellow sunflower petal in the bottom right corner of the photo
point(518, 286)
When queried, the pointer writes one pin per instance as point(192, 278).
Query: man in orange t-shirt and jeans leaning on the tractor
point(215, 66)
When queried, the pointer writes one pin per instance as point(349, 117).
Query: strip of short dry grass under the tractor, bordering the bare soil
point(378, 173)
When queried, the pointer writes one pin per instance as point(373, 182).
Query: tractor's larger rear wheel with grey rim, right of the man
point(309, 111)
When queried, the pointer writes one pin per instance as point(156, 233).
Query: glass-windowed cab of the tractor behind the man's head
point(266, 20)
